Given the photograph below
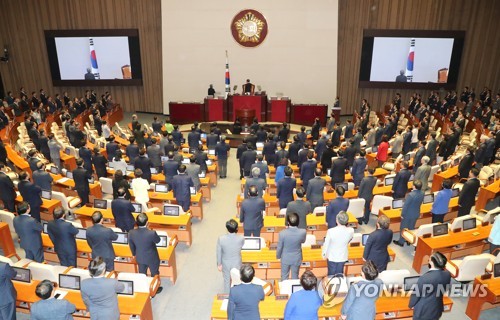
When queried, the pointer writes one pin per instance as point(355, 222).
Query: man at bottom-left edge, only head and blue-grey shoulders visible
point(48, 308)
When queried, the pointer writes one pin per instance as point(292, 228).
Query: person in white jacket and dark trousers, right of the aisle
point(335, 248)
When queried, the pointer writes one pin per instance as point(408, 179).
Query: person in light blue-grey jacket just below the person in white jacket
point(362, 295)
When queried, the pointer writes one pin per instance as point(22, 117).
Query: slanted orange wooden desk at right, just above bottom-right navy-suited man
point(452, 245)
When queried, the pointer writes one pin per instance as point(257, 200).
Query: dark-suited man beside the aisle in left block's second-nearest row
point(142, 242)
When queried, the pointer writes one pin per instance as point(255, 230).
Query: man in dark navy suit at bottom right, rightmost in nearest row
point(428, 303)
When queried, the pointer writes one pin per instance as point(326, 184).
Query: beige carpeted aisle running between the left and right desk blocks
point(198, 278)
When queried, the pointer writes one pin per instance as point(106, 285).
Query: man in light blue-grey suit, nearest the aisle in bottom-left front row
point(99, 293)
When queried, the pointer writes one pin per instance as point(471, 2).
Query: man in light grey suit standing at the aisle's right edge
point(229, 252)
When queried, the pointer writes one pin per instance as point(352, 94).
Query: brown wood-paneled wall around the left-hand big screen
point(22, 25)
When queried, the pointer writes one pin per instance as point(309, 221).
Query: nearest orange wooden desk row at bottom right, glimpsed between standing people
point(271, 308)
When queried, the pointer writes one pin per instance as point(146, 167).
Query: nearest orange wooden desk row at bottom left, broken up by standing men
point(138, 304)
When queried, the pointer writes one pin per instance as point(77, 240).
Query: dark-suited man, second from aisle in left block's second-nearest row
point(100, 240)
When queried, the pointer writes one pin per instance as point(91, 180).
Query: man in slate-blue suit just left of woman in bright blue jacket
point(410, 211)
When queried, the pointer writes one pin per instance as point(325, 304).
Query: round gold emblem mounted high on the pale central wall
point(249, 28)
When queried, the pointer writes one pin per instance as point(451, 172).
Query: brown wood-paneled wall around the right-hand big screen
point(480, 57)
